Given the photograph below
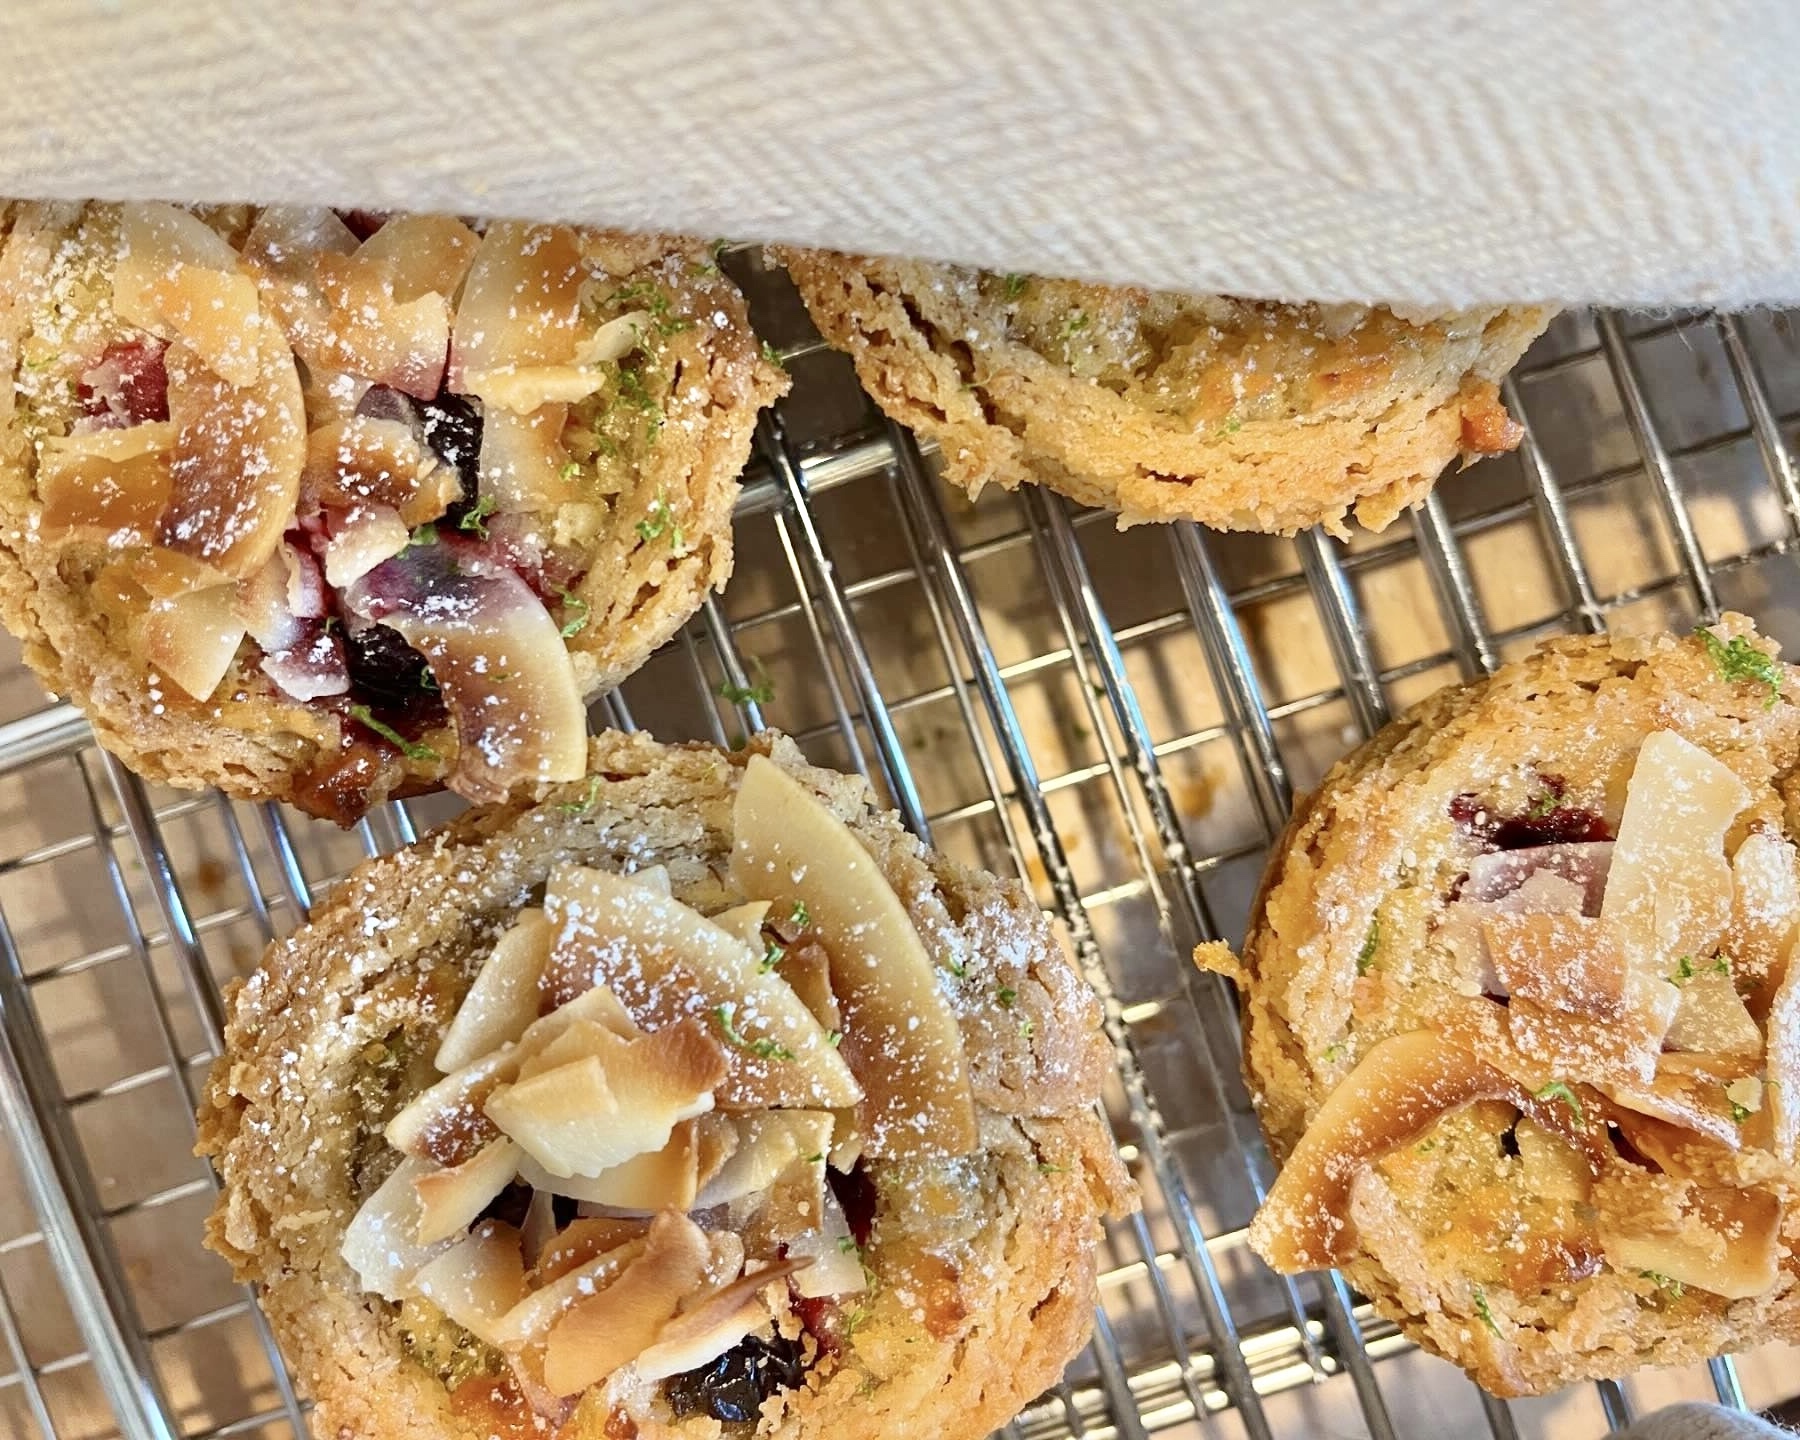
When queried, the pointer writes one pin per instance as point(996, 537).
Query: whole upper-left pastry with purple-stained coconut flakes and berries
point(334, 516)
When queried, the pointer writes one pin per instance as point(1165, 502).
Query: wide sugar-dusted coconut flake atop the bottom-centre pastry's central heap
point(665, 962)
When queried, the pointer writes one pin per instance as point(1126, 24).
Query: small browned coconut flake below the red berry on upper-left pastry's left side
point(109, 483)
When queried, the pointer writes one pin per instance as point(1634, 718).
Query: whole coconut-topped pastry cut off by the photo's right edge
point(1524, 1012)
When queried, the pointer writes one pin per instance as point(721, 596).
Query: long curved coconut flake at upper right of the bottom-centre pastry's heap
point(901, 1038)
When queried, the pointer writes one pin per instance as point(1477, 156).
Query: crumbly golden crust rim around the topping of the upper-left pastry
point(649, 552)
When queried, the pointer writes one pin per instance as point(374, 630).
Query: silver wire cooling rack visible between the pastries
point(1122, 719)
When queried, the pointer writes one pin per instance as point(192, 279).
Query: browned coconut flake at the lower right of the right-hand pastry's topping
point(1729, 1246)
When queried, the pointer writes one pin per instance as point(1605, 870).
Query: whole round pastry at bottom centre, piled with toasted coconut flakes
point(692, 1097)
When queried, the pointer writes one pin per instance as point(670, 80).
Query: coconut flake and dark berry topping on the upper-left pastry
point(361, 469)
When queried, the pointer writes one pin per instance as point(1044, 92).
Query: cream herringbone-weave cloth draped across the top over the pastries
point(1441, 152)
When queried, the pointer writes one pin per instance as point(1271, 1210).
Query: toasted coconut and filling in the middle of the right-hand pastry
point(1587, 1095)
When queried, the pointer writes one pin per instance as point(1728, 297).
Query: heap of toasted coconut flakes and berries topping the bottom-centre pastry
point(647, 1155)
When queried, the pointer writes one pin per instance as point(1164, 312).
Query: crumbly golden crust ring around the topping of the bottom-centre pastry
point(294, 1111)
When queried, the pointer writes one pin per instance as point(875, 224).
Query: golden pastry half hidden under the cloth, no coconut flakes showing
point(1171, 408)
